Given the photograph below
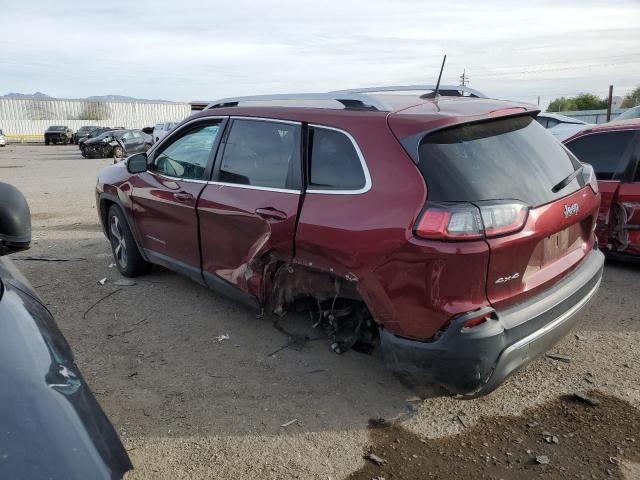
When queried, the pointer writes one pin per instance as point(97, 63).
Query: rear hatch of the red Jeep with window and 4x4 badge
point(510, 182)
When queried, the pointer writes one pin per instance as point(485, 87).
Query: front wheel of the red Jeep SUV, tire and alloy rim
point(125, 251)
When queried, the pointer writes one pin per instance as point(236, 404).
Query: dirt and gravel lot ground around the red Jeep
point(188, 405)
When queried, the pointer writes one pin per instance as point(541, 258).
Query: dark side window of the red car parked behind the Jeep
point(607, 152)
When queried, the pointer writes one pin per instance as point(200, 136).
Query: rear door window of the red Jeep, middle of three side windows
point(263, 154)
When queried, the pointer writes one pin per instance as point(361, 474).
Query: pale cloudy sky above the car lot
point(208, 49)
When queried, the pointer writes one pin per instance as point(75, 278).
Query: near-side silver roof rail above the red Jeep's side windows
point(349, 100)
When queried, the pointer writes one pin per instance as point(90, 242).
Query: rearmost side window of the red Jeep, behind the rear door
point(334, 163)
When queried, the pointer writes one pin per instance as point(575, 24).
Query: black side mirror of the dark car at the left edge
point(15, 220)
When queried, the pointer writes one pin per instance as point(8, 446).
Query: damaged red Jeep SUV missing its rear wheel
point(454, 230)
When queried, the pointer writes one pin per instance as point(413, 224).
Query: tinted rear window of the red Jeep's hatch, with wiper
point(513, 158)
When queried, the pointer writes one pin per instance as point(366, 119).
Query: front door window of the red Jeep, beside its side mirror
point(187, 157)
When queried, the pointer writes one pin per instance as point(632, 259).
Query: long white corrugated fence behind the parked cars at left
point(27, 119)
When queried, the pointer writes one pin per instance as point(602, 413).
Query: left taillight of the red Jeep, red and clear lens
point(466, 221)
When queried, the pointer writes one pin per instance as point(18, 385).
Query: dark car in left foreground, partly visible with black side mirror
point(51, 425)
